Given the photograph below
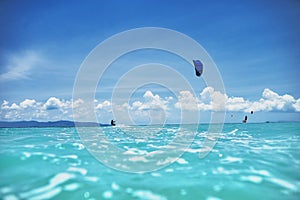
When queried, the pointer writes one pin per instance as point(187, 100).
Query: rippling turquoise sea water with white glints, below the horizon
point(249, 161)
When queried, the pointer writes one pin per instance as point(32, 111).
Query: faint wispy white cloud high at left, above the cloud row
point(19, 66)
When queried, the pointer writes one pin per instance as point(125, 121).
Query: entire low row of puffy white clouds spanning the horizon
point(150, 108)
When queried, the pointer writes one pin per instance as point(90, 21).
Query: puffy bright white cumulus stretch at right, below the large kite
point(211, 100)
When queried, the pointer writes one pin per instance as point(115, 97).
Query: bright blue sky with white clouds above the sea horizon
point(254, 44)
